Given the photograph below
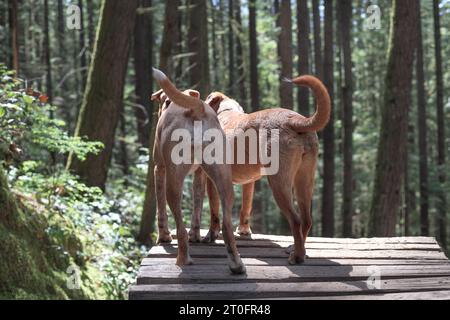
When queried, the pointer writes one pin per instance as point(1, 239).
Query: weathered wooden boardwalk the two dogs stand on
point(380, 268)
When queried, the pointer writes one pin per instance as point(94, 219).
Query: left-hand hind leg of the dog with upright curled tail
point(282, 192)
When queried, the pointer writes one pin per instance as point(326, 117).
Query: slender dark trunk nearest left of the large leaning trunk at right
point(345, 25)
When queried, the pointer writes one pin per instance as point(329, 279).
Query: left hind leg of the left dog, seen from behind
point(174, 192)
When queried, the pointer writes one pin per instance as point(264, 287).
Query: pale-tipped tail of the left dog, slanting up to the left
point(186, 101)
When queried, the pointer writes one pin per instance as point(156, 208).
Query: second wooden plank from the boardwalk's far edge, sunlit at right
point(327, 246)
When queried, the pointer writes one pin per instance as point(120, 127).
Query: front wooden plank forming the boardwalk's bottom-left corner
point(274, 290)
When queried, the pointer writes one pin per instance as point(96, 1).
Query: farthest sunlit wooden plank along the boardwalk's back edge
point(424, 240)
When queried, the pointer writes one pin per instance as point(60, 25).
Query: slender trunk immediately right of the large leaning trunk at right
point(422, 132)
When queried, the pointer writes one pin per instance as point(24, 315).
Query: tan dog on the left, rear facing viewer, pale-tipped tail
point(179, 111)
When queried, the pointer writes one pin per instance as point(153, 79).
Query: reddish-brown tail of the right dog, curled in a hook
point(320, 119)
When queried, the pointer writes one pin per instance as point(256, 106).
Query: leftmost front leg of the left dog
point(160, 190)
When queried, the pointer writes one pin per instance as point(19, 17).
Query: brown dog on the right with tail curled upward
point(298, 152)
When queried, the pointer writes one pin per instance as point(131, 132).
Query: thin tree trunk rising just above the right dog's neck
point(240, 56)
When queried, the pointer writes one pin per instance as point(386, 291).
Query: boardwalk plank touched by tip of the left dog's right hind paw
point(188, 274)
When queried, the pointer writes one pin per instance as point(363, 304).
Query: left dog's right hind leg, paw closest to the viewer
point(221, 176)
